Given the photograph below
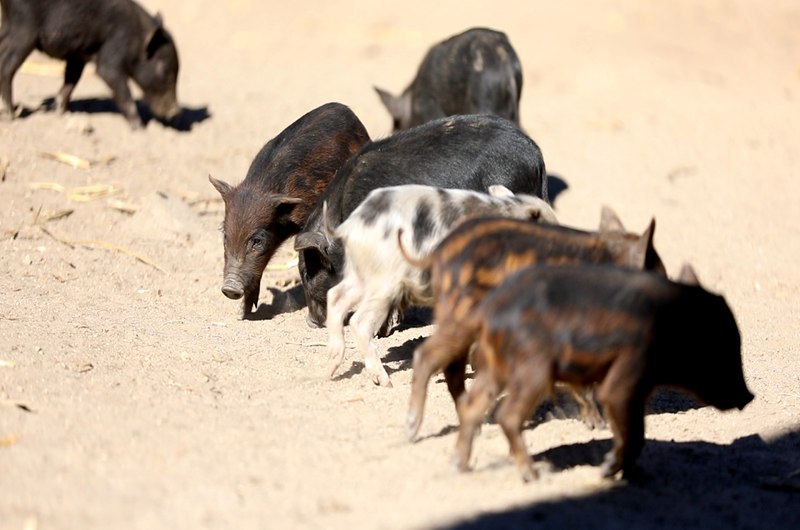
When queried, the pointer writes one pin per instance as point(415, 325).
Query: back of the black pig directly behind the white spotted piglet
point(466, 152)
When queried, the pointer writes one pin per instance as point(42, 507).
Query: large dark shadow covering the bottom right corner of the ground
point(751, 483)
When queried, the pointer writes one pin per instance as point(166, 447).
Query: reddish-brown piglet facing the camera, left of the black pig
point(280, 191)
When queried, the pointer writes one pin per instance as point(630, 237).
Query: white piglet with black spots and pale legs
point(377, 279)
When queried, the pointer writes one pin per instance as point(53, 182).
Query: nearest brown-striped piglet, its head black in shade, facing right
point(627, 331)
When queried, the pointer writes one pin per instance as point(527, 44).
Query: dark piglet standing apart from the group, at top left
point(118, 35)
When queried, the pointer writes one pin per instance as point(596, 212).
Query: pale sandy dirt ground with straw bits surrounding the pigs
point(132, 395)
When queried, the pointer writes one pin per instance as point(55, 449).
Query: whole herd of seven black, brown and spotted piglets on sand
point(451, 212)
